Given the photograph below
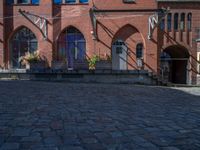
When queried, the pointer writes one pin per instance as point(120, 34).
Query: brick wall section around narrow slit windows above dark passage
point(184, 38)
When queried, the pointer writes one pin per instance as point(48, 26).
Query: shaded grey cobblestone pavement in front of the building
point(67, 116)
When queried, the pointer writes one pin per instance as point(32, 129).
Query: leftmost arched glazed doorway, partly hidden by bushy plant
point(23, 41)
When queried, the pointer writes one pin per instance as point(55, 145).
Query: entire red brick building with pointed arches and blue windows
point(163, 34)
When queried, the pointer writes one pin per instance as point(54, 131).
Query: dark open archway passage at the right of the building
point(174, 63)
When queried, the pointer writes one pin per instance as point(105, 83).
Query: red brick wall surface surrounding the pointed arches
point(111, 25)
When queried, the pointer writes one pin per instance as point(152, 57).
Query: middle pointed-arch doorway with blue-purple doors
point(71, 46)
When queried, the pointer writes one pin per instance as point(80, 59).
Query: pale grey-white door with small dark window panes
point(119, 55)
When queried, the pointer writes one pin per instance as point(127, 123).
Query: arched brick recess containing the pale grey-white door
point(132, 43)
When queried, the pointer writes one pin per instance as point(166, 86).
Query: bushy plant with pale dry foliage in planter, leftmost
point(33, 61)
